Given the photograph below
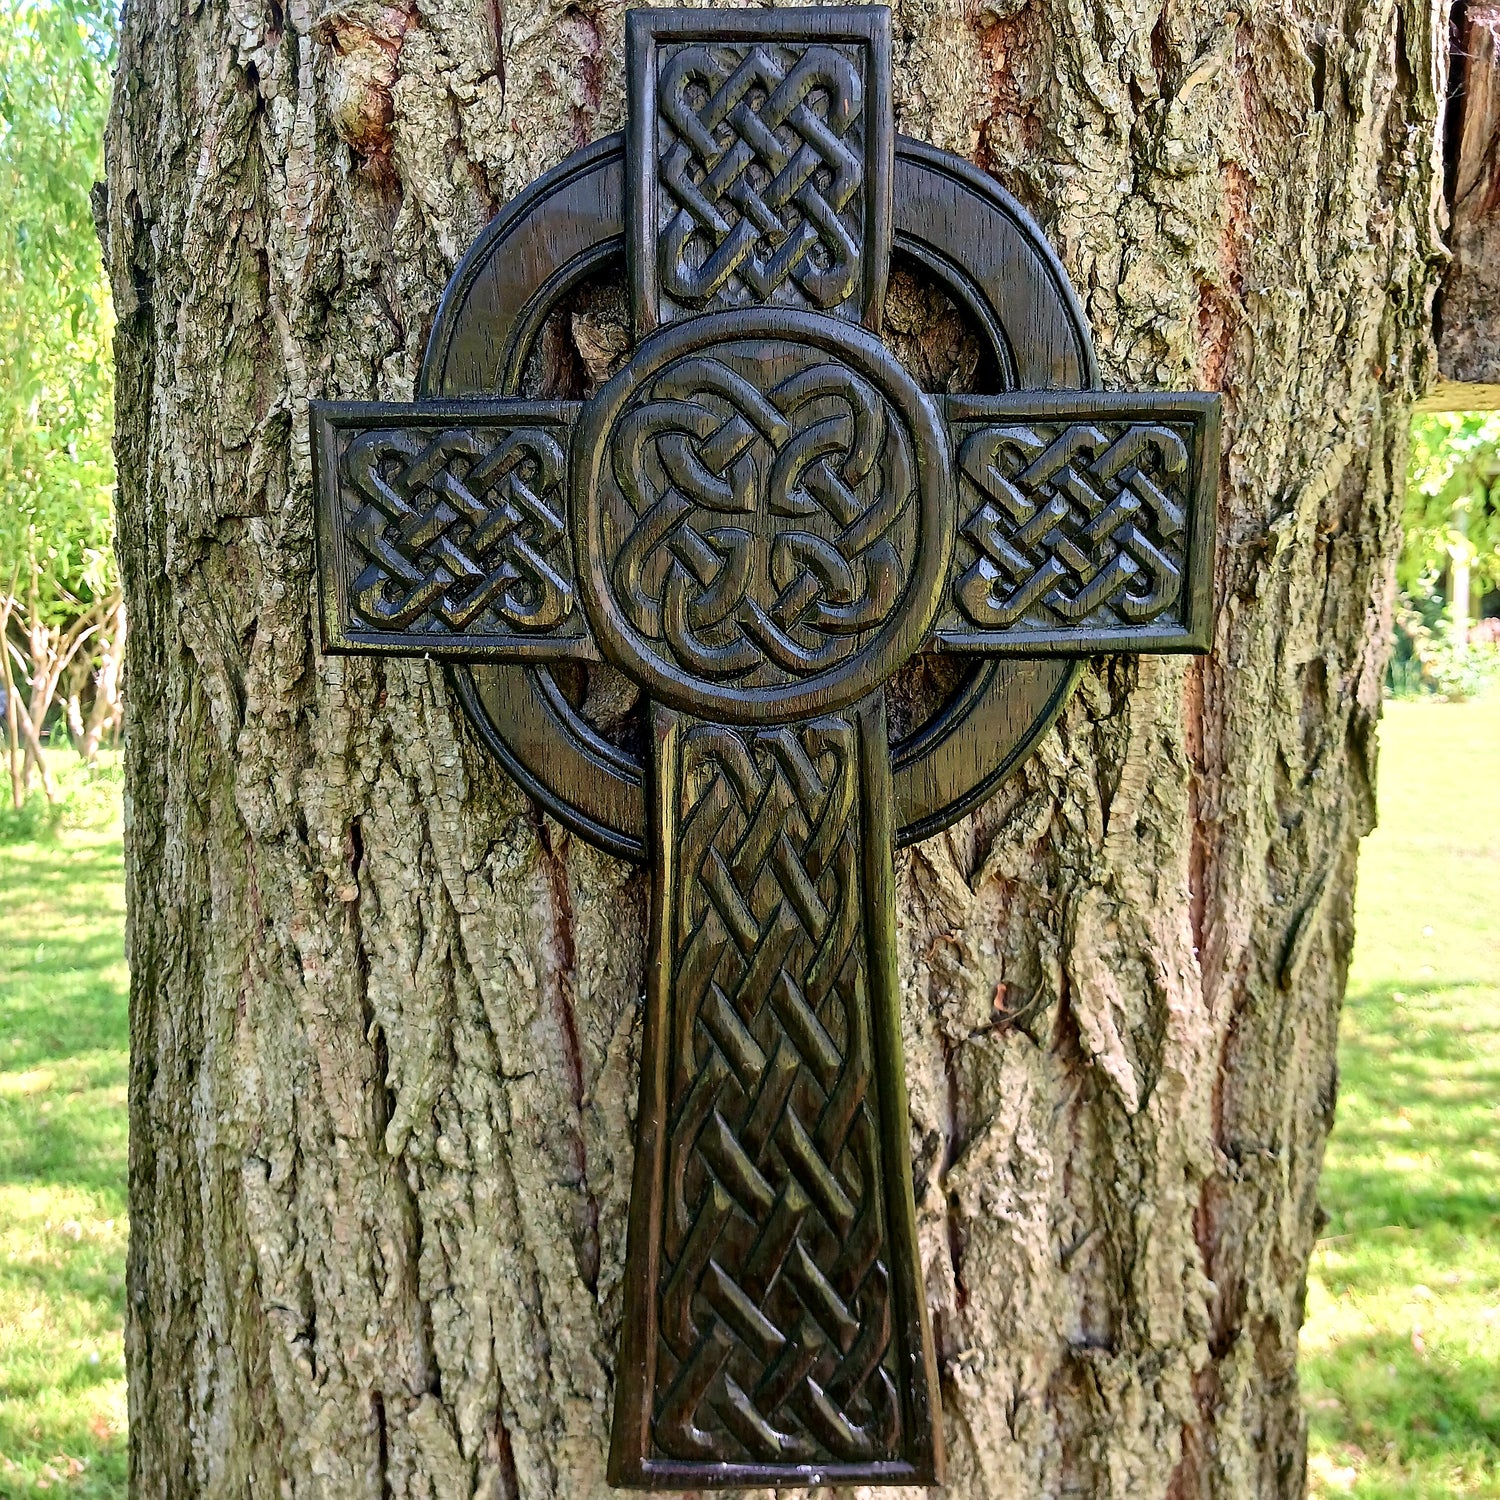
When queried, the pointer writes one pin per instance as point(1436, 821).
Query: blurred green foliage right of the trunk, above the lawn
point(1448, 610)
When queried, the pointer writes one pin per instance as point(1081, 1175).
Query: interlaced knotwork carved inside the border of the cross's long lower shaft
point(775, 1298)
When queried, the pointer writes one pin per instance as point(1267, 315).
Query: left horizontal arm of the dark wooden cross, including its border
point(443, 530)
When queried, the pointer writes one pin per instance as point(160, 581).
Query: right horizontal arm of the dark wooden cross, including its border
point(1085, 523)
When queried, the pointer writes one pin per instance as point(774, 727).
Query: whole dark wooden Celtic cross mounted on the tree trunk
point(763, 523)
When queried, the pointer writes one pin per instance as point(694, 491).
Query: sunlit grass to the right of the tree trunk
point(1402, 1348)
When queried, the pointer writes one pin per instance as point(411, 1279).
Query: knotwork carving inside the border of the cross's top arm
point(761, 175)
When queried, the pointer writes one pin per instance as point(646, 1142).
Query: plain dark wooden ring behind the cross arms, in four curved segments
point(953, 224)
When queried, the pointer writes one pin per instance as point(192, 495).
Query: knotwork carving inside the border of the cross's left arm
point(457, 532)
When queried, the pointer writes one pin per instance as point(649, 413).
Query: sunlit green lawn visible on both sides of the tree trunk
point(1402, 1349)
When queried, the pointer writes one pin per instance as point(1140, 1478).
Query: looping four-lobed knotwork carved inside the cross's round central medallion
point(763, 538)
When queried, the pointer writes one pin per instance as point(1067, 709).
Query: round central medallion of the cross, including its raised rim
point(763, 515)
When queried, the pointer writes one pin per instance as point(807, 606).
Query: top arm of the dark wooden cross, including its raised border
point(764, 163)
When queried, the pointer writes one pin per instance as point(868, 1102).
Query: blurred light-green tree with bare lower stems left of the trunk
point(62, 619)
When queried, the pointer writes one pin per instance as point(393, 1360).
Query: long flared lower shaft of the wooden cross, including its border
point(775, 1310)
